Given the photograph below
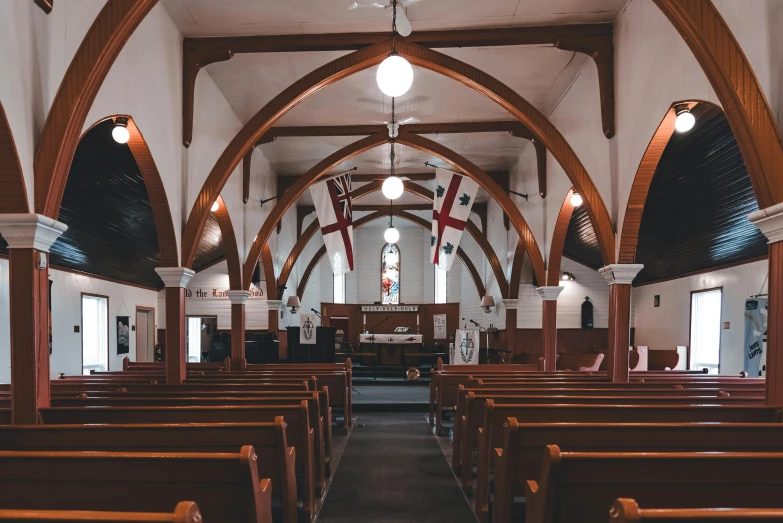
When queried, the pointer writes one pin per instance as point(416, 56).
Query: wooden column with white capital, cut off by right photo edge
point(770, 221)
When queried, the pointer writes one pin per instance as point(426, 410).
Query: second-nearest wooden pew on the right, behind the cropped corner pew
point(580, 487)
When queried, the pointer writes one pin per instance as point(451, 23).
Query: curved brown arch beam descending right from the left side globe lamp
point(164, 225)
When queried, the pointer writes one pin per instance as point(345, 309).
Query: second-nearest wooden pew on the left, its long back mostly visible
point(225, 486)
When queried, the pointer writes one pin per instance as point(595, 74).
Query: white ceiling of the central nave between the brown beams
point(541, 74)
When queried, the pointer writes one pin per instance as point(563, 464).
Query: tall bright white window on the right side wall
point(705, 329)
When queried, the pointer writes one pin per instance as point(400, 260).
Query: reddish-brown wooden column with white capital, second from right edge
point(619, 277)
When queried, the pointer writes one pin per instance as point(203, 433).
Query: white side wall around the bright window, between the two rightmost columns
point(666, 326)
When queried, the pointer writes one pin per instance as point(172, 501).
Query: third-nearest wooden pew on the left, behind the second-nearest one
point(276, 460)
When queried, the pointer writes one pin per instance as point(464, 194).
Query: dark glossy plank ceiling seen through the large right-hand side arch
point(696, 214)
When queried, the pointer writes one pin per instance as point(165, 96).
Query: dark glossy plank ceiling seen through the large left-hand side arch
point(111, 227)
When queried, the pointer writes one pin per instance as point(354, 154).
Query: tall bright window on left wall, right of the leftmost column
point(95, 333)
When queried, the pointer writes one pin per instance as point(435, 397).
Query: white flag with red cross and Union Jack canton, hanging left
point(332, 200)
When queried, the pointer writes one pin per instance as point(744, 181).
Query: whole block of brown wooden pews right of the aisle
point(563, 446)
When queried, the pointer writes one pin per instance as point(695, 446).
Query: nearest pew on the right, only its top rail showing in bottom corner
point(626, 510)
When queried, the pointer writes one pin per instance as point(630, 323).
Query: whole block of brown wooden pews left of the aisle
point(254, 445)
